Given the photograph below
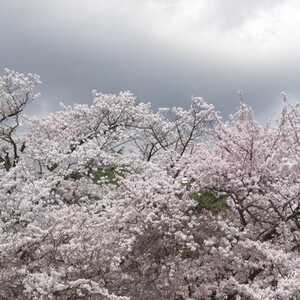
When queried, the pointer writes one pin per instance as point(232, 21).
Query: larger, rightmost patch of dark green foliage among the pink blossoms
point(211, 201)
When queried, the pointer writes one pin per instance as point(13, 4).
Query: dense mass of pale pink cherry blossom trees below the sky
point(115, 200)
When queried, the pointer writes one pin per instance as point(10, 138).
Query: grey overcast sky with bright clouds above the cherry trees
point(164, 51)
